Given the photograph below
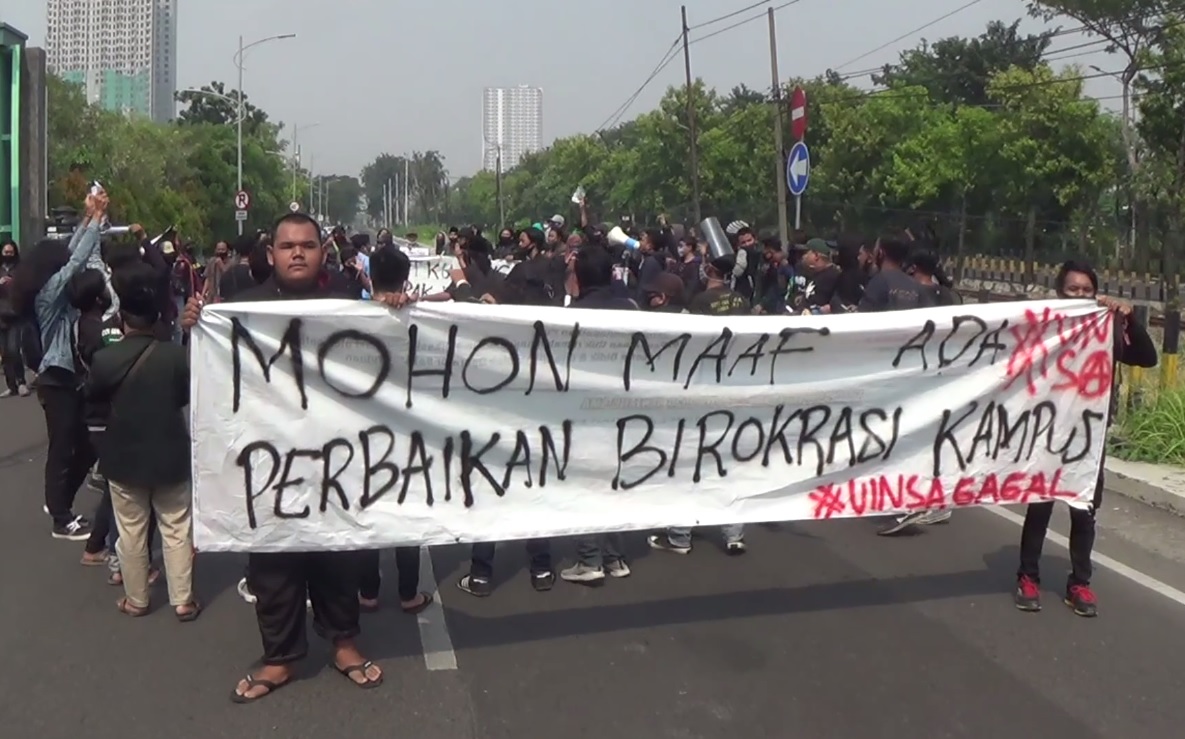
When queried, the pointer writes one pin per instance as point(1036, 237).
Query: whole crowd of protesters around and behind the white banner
point(101, 326)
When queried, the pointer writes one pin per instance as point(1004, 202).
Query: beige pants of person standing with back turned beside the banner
point(133, 506)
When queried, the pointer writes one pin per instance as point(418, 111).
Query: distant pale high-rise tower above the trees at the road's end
point(511, 119)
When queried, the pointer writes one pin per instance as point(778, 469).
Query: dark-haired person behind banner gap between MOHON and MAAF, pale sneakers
point(591, 281)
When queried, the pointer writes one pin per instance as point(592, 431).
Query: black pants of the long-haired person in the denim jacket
point(71, 455)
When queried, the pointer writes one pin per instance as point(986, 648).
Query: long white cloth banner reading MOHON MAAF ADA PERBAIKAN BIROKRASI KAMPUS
point(338, 426)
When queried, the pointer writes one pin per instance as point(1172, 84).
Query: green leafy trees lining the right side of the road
point(982, 134)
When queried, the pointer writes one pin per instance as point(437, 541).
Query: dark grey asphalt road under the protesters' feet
point(823, 631)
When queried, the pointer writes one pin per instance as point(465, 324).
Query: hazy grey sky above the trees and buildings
point(403, 75)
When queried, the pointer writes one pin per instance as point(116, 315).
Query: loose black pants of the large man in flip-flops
point(283, 582)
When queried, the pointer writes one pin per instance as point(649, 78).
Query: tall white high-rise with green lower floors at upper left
point(123, 53)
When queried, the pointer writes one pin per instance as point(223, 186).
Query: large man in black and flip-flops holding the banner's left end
point(280, 582)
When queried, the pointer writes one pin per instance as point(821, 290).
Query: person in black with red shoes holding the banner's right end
point(1133, 348)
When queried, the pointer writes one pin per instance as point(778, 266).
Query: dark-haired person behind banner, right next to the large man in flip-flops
point(390, 269)
